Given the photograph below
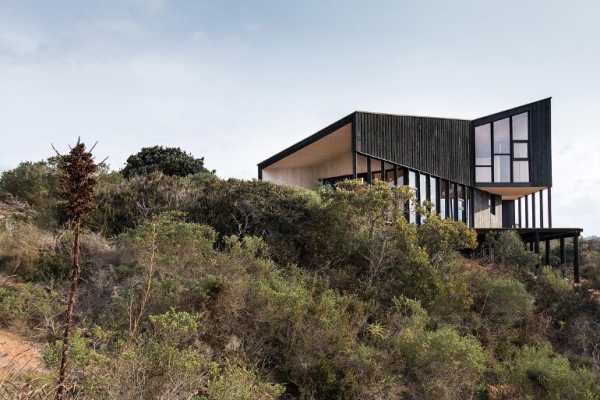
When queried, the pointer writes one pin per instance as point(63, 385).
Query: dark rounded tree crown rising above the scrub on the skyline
point(168, 160)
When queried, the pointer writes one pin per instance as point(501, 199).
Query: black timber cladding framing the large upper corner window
point(540, 135)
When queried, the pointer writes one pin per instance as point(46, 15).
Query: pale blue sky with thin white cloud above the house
point(236, 82)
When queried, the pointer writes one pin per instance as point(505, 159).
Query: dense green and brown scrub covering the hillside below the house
point(199, 288)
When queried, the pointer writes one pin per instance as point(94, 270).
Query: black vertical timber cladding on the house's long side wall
point(436, 146)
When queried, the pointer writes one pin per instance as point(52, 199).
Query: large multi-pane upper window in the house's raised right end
point(502, 150)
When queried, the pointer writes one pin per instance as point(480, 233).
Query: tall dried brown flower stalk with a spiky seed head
point(77, 172)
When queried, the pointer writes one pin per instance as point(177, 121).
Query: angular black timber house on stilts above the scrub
point(493, 173)
